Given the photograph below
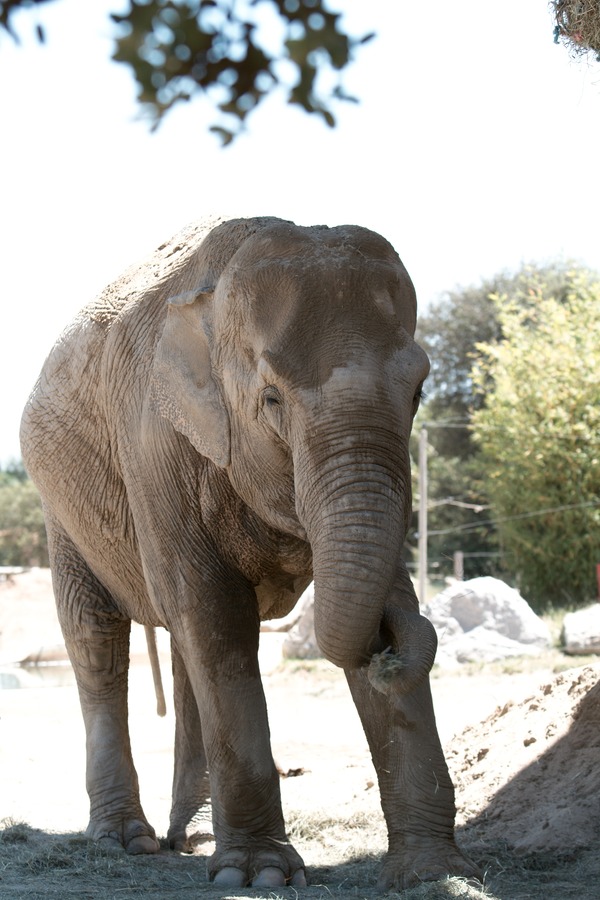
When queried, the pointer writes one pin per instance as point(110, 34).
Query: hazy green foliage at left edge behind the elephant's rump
point(22, 531)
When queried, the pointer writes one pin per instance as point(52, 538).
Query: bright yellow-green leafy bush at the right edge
point(539, 434)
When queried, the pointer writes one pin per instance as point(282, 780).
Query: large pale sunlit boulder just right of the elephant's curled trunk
point(484, 620)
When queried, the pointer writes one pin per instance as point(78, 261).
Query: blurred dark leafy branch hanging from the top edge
point(235, 53)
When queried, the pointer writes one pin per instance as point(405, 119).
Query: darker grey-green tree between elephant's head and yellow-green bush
point(450, 331)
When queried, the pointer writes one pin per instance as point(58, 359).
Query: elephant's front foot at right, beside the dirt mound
point(409, 867)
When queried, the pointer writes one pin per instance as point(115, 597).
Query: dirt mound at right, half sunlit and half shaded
point(529, 775)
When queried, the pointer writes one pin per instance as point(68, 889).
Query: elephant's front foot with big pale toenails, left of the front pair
point(239, 866)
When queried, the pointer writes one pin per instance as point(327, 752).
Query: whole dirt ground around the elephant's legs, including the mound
point(522, 742)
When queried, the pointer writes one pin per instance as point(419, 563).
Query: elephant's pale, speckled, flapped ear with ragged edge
point(183, 388)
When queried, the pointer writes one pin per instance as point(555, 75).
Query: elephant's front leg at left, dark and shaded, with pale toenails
point(219, 644)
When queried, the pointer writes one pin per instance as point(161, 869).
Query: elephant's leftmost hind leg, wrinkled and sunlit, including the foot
point(97, 640)
